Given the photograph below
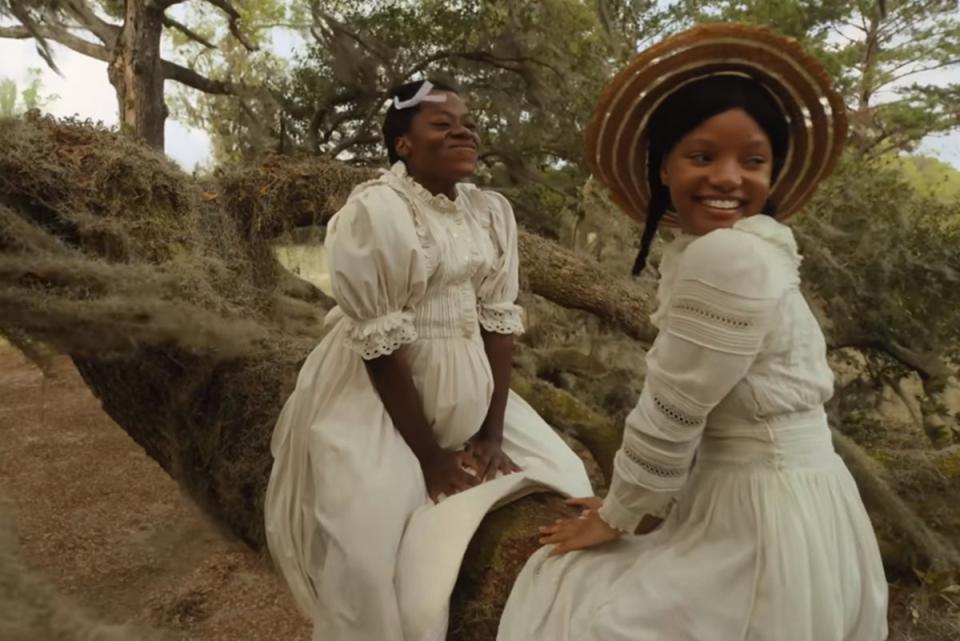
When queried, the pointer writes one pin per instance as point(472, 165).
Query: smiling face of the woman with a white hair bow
point(441, 146)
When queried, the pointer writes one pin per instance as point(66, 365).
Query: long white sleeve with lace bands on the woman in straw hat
point(720, 311)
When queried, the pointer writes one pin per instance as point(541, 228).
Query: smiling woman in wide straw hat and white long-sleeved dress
point(724, 130)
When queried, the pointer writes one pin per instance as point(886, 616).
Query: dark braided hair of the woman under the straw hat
point(682, 112)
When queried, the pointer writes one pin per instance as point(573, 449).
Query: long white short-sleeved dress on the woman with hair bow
point(349, 522)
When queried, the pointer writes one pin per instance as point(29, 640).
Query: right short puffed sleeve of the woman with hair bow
point(498, 311)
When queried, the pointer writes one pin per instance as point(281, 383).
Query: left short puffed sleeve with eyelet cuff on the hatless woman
point(377, 270)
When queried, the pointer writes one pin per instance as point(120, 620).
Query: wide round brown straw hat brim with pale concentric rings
point(616, 144)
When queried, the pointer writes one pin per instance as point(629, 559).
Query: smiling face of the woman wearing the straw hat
point(719, 173)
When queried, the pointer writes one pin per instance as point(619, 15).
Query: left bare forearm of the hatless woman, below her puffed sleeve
point(393, 381)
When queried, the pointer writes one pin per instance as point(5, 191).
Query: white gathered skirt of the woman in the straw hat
point(758, 547)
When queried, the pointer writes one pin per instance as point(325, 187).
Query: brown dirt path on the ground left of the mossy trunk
point(110, 529)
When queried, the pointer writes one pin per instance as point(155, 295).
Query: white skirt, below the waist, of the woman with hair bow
point(349, 523)
